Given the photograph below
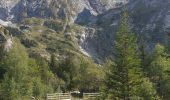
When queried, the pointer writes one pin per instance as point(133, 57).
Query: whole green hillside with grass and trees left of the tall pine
point(44, 60)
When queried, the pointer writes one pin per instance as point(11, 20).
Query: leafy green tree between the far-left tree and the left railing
point(43, 79)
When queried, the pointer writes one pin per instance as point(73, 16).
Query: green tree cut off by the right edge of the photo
point(158, 71)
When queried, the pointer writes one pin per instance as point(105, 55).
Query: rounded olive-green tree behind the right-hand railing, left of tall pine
point(90, 76)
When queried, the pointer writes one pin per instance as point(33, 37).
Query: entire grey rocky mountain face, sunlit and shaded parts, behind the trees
point(98, 18)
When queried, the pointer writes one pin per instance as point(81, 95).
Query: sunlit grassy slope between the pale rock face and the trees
point(43, 39)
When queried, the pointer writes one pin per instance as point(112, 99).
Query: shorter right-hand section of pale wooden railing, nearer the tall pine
point(91, 96)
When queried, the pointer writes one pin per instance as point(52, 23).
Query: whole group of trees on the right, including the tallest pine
point(135, 73)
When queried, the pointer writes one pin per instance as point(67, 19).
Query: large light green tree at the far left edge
point(16, 84)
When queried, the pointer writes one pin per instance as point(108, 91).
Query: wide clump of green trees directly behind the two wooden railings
point(78, 73)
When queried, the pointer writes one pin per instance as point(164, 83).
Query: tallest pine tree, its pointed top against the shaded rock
point(125, 79)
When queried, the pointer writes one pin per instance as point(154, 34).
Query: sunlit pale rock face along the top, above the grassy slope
point(18, 9)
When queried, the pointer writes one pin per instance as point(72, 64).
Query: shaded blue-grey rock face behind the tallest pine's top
point(148, 18)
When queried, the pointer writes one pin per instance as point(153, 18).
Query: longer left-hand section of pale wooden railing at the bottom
point(59, 96)
